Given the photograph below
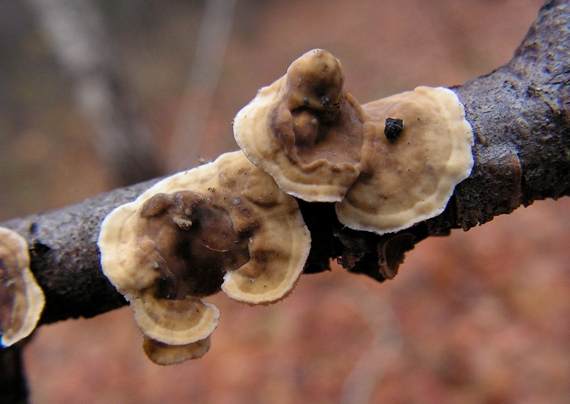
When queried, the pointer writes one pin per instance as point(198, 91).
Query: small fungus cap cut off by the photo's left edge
point(21, 298)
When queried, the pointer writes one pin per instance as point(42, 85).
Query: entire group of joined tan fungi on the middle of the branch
point(235, 225)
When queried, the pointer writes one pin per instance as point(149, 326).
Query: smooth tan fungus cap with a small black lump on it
point(417, 148)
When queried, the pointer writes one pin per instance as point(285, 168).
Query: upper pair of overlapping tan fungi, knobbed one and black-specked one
point(387, 164)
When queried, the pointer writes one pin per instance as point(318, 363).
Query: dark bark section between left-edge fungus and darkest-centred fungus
point(65, 259)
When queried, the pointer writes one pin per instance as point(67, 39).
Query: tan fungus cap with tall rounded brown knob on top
point(305, 130)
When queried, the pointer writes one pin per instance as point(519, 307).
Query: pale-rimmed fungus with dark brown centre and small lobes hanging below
point(224, 225)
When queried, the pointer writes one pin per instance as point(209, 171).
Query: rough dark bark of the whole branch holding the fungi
point(521, 118)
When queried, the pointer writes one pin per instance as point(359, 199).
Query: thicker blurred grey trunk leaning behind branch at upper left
point(78, 38)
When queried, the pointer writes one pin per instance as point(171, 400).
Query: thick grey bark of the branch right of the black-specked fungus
point(520, 116)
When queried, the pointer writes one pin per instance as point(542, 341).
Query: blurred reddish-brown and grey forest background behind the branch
point(99, 94)
